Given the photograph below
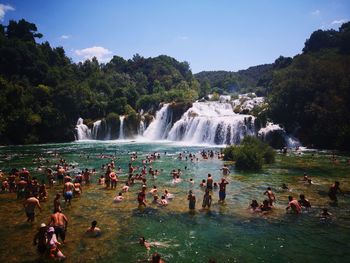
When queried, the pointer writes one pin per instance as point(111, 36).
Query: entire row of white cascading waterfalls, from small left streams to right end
point(205, 122)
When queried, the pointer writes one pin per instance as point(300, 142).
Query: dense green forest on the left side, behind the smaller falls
point(42, 93)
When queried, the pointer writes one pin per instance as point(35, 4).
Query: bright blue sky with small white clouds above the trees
point(210, 35)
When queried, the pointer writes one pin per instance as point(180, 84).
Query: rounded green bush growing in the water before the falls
point(250, 155)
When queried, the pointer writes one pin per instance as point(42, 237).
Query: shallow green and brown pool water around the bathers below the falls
point(228, 233)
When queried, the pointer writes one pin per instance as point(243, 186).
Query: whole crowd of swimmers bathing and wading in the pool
point(113, 177)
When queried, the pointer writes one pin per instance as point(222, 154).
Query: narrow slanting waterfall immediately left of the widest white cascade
point(160, 126)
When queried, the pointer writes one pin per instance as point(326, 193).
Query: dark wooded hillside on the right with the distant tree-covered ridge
point(308, 94)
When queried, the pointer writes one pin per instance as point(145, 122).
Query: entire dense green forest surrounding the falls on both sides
point(43, 93)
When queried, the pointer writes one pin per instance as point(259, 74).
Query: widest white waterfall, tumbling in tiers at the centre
point(213, 123)
